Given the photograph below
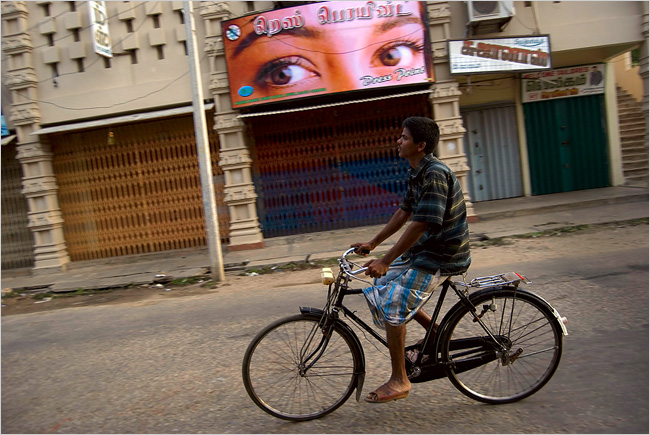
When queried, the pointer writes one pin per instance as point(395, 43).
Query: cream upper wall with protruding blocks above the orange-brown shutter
point(148, 69)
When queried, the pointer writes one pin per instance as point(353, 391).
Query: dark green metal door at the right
point(567, 144)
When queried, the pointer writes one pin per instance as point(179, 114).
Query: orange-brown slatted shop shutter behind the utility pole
point(138, 193)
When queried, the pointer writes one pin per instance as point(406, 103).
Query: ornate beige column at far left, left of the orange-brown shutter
point(39, 182)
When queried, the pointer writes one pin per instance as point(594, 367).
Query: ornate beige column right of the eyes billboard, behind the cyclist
point(445, 99)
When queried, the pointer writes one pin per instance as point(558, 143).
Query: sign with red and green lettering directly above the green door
point(562, 83)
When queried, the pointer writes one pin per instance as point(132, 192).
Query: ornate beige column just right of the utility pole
point(235, 156)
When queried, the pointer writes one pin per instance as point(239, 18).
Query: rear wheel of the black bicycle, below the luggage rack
point(527, 326)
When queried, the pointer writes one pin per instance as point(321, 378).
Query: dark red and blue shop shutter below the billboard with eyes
point(331, 168)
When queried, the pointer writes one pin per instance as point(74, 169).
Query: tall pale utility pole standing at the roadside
point(203, 150)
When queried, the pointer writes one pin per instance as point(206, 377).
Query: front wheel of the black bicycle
point(271, 368)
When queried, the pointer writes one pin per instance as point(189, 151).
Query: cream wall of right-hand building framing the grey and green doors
point(574, 42)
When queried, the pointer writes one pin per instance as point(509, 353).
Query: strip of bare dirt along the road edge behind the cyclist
point(548, 244)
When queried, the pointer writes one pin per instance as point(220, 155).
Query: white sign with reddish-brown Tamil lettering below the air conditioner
point(483, 56)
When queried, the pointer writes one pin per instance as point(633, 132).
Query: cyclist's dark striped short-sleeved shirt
point(434, 196)
